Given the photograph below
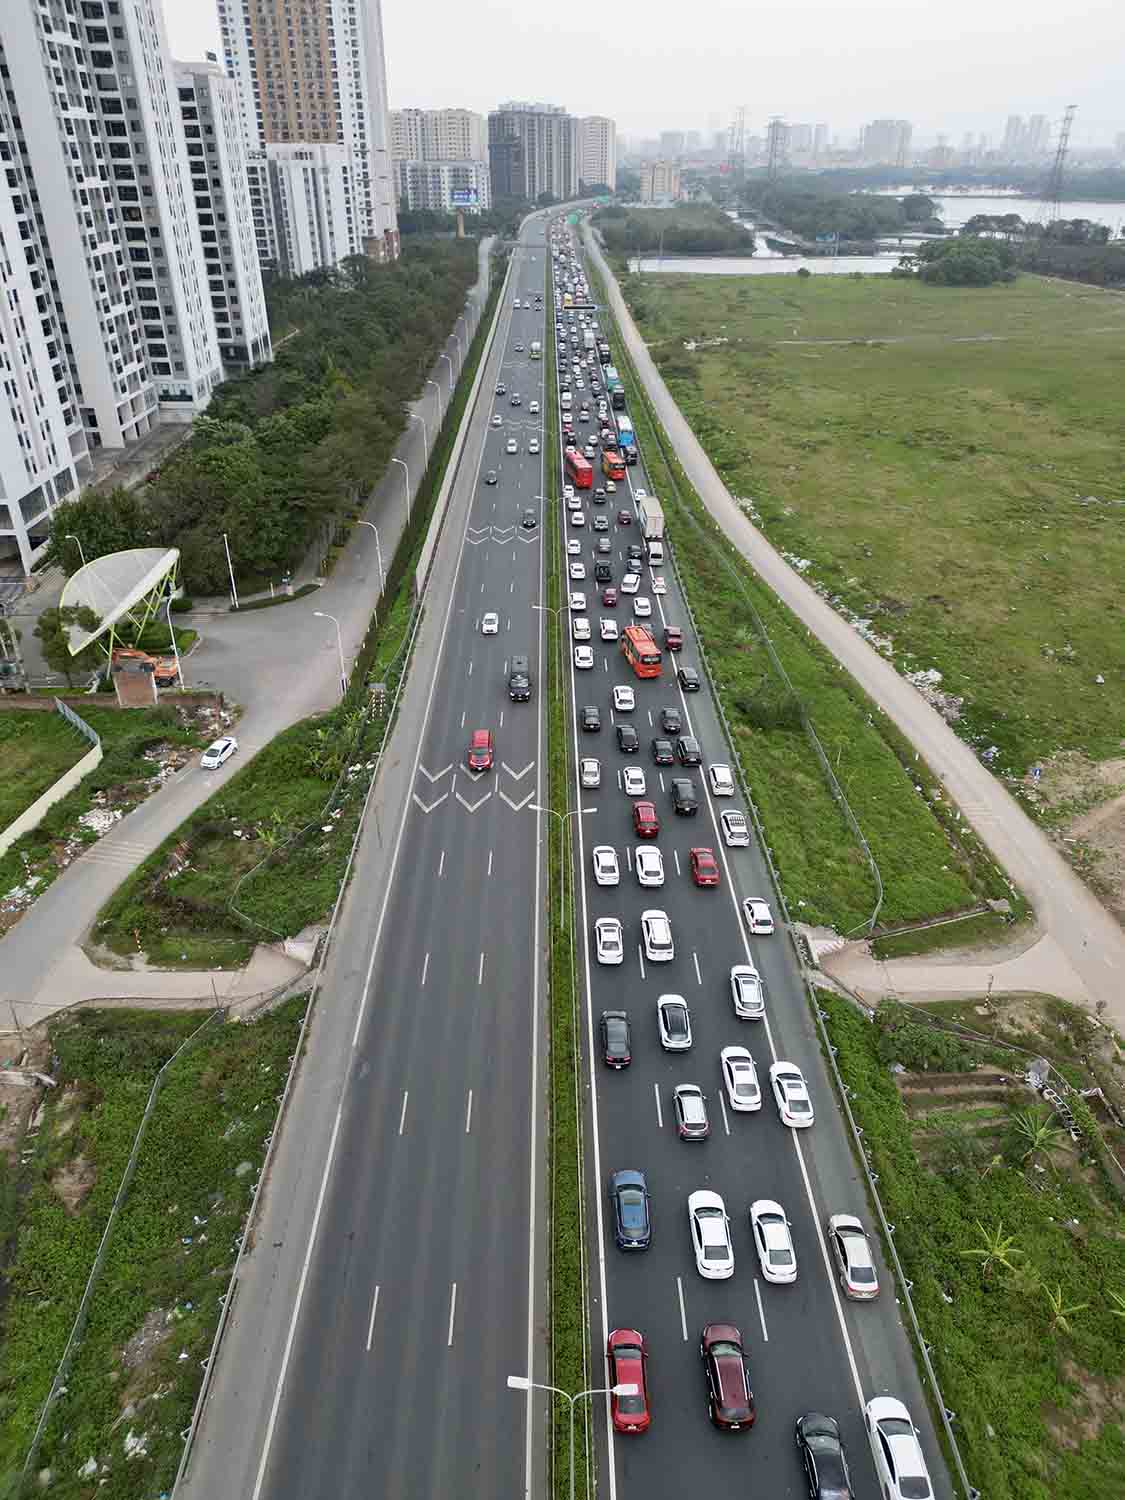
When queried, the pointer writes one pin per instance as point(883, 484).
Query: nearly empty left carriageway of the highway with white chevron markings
point(418, 1297)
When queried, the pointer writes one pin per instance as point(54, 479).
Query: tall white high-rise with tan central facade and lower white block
point(313, 100)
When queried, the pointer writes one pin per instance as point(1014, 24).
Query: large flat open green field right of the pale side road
point(958, 482)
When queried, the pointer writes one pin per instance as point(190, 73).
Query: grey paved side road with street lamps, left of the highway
point(283, 667)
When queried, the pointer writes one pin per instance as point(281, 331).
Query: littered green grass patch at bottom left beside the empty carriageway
point(172, 1249)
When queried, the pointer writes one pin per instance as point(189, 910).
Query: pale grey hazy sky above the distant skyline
point(964, 65)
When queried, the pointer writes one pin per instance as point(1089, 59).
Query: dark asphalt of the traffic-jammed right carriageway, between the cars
point(809, 1349)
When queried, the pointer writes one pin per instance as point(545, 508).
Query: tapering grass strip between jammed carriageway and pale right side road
point(928, 862)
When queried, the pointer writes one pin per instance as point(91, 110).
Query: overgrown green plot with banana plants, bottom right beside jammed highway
point(1015, 1243)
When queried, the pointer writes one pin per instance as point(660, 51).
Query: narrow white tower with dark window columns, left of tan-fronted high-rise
point(209, 107)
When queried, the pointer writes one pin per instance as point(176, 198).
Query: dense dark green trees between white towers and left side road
point(292, 443)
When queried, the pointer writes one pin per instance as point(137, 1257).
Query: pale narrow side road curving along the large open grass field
point(1081, 937)
